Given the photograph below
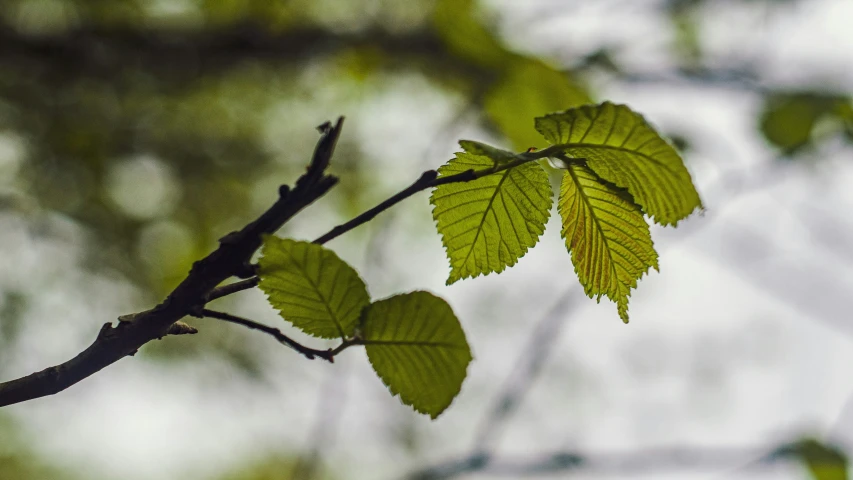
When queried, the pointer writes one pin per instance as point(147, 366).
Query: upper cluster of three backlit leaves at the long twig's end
point(617, 169)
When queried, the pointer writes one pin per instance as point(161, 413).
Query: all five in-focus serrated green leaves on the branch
point(616, 169)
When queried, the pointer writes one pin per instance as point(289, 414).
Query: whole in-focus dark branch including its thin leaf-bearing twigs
point(230, 259)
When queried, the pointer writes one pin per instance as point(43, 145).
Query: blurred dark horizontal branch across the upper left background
point(103, 52)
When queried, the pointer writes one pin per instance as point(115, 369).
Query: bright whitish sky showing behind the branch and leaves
point(742, 339)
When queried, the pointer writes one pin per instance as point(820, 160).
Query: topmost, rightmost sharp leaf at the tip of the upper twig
point(620, 147)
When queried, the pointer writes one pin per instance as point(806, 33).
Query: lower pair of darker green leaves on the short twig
point(414, 341)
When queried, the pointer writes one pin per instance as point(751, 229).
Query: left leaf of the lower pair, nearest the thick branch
point(312, 288)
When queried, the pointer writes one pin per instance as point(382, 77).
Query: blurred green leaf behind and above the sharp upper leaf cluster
point(530, 88)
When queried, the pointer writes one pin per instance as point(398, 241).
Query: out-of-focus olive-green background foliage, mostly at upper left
point(156, 126)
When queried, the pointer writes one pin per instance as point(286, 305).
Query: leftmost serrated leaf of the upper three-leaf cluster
point(487, 224)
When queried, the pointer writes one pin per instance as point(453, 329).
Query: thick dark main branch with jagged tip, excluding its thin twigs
point(231, 258)
